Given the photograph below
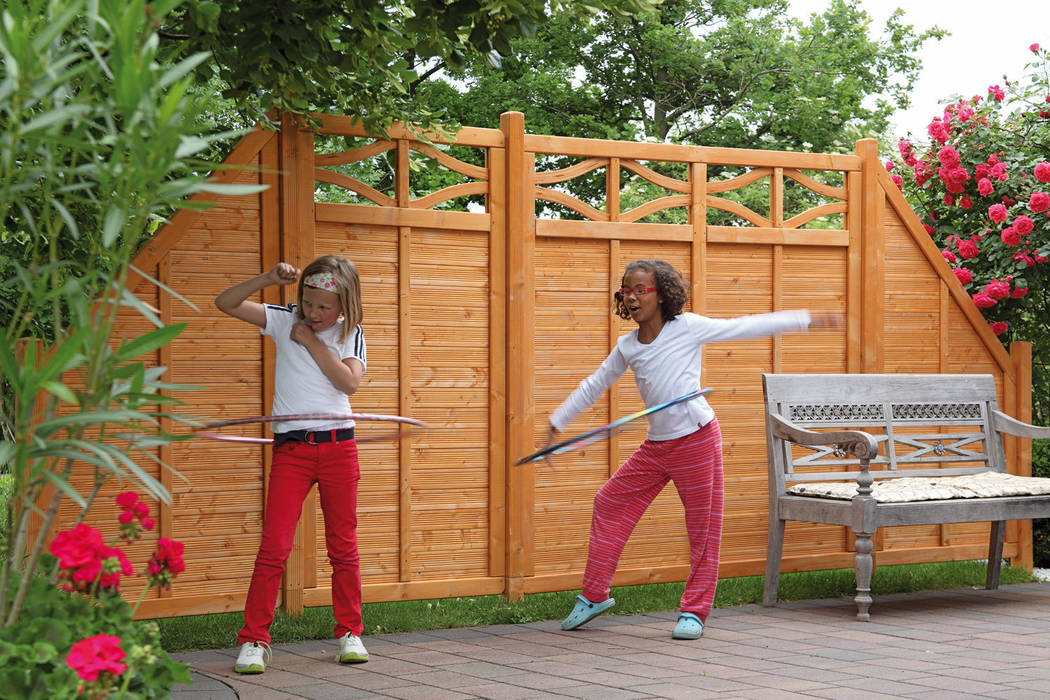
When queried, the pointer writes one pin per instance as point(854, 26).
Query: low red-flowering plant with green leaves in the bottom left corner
point(79, 639)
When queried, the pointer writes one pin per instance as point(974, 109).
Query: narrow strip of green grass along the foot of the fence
point(221, 631)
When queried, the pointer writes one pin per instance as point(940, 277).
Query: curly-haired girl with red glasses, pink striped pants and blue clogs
point(684, 444)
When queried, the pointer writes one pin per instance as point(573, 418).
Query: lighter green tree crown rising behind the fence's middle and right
point(716, 73)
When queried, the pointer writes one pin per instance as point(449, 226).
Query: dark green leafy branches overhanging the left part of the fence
point(362, 58)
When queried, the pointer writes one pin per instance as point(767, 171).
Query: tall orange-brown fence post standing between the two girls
point(521, 351)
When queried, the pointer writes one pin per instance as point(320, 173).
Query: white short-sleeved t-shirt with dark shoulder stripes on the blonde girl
point(300, 385)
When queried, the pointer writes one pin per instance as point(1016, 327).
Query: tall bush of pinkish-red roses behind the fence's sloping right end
point(981, 184)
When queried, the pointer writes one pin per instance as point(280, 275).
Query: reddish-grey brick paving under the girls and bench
point(961, 644)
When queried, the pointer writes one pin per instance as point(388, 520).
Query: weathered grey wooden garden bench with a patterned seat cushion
point(875, 431)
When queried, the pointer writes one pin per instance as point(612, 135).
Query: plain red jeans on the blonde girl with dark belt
point(298, 466)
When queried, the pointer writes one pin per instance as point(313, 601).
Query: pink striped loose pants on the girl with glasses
point(694, 462)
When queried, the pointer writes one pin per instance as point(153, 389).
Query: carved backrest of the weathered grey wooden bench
point(927, 426)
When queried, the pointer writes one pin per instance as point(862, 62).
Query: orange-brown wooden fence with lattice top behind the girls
point(480, 323)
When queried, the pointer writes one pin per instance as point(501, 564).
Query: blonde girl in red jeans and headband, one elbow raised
point(320, 364)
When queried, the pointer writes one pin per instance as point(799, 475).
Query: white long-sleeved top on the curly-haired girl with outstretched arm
point(670, 368)
